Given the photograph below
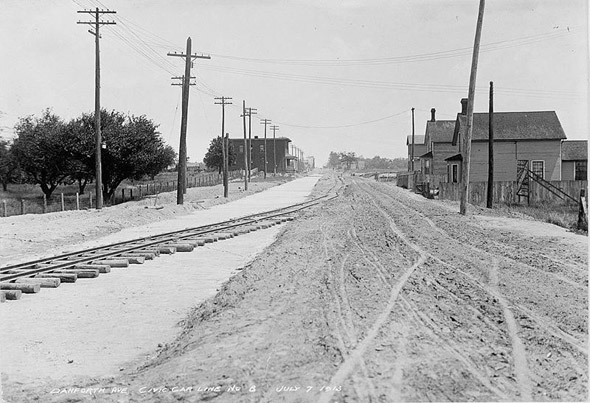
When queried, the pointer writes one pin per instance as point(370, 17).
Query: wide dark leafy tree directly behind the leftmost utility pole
point(132, 148)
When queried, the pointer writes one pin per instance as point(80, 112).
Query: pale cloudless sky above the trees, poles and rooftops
point(334, 75)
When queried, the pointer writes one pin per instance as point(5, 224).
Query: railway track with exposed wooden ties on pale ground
point(30, 277)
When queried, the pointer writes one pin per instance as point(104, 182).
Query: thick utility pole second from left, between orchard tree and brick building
point(188, 58)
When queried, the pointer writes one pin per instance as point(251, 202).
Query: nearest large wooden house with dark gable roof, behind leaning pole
point(521, 139)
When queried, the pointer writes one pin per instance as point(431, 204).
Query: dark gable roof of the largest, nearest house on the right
point(537, 125)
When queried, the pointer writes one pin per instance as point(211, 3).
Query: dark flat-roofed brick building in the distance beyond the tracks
point(278, 147)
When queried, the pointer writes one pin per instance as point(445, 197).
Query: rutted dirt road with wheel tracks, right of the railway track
point(379, 296)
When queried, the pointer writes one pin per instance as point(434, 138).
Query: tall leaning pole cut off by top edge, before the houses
point(470, 100)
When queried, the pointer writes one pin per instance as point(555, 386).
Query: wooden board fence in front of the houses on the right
point(505, 192)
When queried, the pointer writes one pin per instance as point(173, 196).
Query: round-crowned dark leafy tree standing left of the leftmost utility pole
point(39, 150)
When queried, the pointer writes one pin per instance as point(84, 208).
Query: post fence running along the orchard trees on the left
point(64, 202)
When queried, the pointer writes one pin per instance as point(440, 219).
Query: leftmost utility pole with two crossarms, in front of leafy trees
point(98, 136)
